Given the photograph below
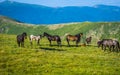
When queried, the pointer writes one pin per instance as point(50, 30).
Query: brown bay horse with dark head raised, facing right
point(76, 38)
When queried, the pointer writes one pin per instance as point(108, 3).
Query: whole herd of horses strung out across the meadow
point(113, 45)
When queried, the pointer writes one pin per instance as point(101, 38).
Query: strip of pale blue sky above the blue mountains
point(63, 3)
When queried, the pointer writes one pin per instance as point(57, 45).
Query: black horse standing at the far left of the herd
point(20, 39)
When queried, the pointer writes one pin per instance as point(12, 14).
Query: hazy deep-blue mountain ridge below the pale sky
point(37, 14)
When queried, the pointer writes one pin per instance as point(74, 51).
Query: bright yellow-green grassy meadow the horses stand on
point(53, 60)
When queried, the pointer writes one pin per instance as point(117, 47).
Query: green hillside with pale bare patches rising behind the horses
point(97, 30)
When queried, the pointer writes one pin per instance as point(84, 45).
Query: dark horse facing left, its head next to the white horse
point(53, 38)
